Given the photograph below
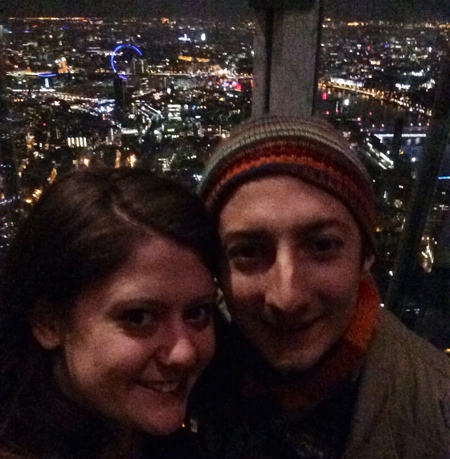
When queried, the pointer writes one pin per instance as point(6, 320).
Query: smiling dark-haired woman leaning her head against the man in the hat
point(107, 298)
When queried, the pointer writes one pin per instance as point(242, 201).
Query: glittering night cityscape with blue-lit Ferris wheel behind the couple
point(152, 88)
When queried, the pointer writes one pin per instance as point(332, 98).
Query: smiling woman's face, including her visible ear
point(139, 341)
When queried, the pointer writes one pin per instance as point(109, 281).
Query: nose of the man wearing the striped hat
point(288, 288)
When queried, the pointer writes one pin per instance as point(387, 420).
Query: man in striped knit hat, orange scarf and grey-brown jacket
point(311, 366)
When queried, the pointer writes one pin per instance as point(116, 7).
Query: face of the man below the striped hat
point(291, 270)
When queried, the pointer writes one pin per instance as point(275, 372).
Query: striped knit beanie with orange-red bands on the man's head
point(307, 148)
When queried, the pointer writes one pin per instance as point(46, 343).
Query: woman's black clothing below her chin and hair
point(52, 426)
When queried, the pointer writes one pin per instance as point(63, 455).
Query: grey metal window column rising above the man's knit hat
point(286, 49)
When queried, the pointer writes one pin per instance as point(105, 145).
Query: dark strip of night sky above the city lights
point(344, 9)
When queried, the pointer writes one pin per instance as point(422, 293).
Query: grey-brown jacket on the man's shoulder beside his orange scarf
point(403, 406)
